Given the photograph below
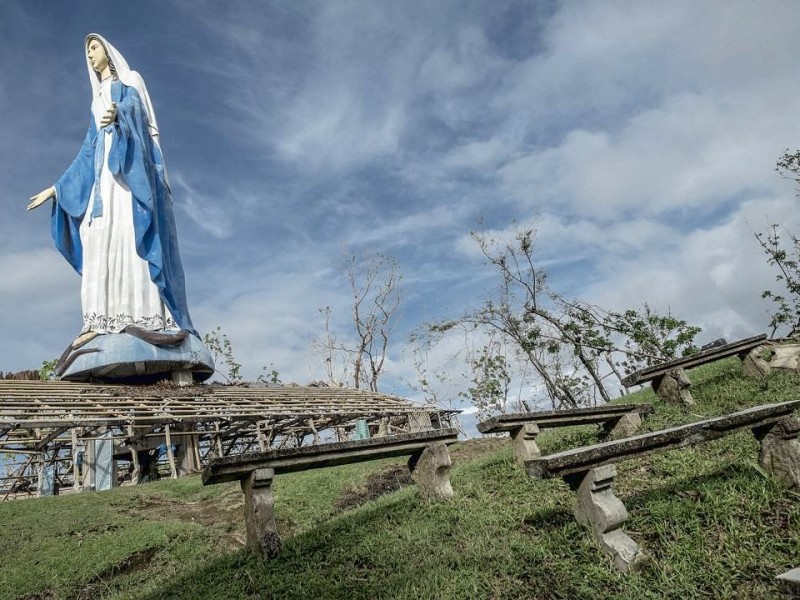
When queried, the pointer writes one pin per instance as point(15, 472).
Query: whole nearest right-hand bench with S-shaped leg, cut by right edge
point(590, 470)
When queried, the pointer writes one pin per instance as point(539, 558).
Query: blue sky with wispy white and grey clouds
point(638, 138)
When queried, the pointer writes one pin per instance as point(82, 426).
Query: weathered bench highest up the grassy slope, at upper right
point(669, 380)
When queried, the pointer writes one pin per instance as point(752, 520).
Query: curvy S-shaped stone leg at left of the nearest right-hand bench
point(601, 511)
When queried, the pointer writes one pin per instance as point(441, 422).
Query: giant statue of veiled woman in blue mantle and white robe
point(112, 220)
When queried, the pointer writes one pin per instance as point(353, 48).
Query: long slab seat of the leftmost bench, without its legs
point(287, 460)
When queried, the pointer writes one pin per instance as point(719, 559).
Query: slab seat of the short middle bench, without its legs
point(562, 418)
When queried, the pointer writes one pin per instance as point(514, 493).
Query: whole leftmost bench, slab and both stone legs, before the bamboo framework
point(429, 464)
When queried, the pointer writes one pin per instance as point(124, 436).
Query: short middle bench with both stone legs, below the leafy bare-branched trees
point(617, 420)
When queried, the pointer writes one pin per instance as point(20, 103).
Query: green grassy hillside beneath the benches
point(714, 524)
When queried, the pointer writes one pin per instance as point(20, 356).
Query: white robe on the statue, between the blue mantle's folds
point(116, 289)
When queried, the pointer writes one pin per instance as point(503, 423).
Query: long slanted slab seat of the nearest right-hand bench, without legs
point(580, 460)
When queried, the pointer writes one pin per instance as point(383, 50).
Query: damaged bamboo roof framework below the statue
point(47, 424)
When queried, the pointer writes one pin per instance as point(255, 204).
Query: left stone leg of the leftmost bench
point(262, 534)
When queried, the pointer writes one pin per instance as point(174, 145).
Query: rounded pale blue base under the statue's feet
point(123, 358)
